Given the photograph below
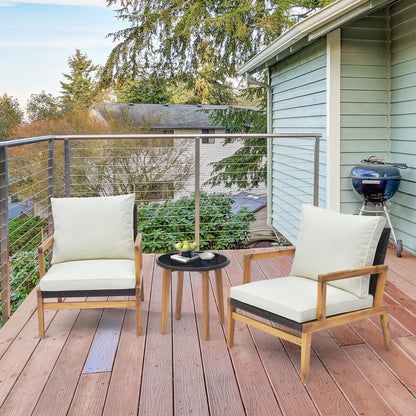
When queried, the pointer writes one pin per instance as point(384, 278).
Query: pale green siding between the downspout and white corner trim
point(299, 106)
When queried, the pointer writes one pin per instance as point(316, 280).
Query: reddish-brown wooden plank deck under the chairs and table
point(92, 362)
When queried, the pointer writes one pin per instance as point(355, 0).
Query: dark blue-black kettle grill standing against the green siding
point(376, 181)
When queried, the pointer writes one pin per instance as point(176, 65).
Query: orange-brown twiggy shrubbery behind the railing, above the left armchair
point(151, 169)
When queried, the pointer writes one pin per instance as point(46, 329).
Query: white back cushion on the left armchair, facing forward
point(93, 228)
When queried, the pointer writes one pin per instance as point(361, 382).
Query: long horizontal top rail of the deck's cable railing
point(31, 140)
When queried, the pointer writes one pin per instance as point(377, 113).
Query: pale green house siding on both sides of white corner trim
point(377, 114)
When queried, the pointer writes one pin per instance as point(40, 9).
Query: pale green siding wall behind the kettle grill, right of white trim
point(378, 106)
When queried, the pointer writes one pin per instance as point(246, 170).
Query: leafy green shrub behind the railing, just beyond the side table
point(163, 224)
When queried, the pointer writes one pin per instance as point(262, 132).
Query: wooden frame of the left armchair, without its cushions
point(137, 292)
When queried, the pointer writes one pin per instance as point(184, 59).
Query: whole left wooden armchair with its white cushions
point(95, 251)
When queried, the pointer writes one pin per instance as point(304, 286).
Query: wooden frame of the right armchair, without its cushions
point(305, 330)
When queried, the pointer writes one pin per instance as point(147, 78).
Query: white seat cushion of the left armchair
point(90, 275)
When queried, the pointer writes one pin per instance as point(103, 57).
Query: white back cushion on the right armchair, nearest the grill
point(329, 242)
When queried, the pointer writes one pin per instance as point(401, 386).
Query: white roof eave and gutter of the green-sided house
point(310, 29)
